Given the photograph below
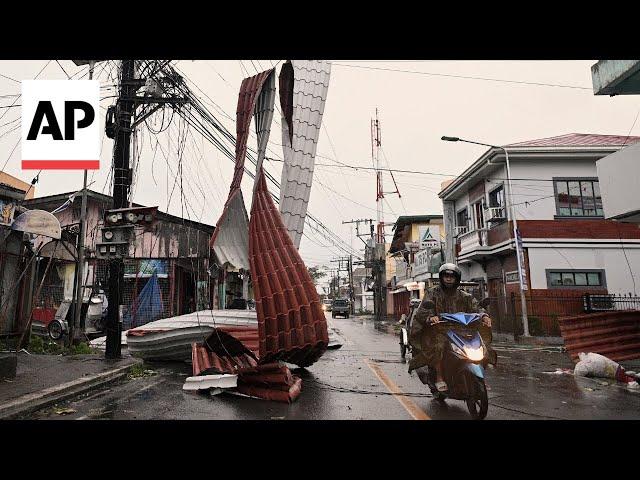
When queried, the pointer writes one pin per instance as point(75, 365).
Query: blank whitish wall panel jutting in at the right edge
point(619, 175)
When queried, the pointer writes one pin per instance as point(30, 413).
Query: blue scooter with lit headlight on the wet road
point(464, 361)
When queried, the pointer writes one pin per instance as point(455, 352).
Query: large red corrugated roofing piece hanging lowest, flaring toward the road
point(291, 322)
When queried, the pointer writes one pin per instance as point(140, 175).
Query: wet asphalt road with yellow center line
point(356, 382)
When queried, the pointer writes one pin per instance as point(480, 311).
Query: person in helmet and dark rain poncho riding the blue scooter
point(427, 338)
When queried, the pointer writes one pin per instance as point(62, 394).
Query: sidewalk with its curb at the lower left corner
point(42, 380)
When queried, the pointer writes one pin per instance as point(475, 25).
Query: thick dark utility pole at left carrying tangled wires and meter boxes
point(121, 184)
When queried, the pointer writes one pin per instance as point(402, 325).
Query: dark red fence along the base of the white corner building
point(543, 311)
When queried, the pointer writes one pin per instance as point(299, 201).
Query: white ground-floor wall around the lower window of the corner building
point(612, 260)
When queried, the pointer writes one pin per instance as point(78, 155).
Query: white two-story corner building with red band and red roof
point(570, 248)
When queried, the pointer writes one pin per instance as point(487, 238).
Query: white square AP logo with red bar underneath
point(60, 125)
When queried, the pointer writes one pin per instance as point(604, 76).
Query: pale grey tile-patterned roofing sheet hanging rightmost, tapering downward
point(303, 92)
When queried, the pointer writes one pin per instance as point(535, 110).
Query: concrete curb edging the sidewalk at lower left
point(35, 401)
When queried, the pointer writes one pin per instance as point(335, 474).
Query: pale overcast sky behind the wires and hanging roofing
point(415, 110)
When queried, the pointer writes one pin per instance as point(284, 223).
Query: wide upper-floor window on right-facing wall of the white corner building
point(578, 198)
